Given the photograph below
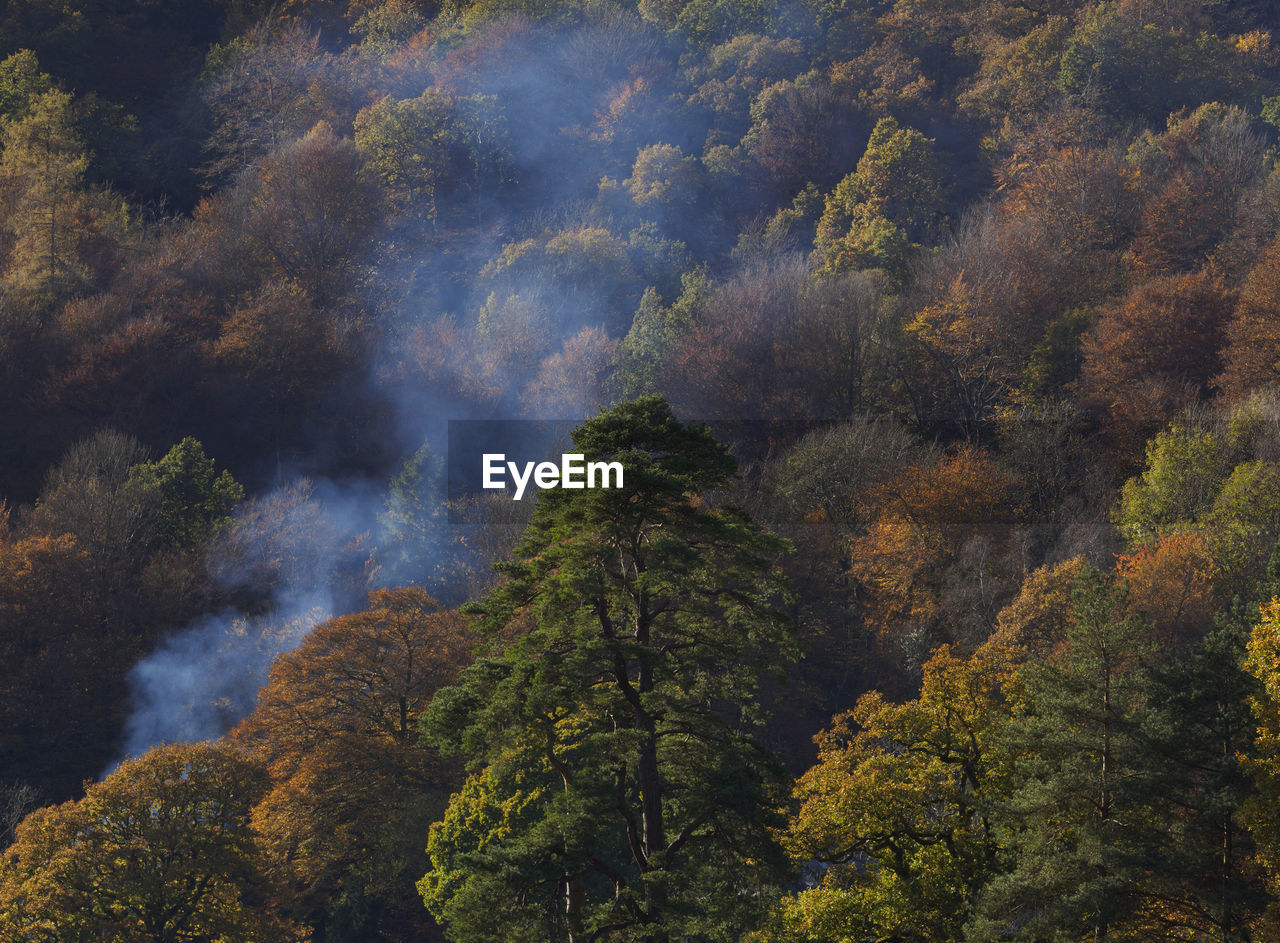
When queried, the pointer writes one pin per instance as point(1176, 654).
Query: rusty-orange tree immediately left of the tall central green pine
point(353, 790)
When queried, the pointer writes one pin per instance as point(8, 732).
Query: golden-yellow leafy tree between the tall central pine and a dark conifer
point(898, 808)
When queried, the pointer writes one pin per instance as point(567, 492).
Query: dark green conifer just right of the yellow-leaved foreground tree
point(1076, 830)
